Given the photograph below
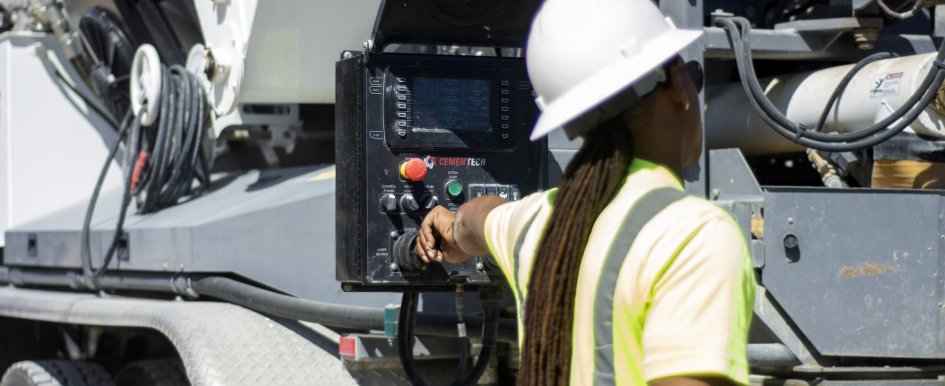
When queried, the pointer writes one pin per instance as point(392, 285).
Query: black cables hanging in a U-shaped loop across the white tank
point(858, 140)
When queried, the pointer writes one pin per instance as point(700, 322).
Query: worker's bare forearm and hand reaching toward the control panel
point(455, 237)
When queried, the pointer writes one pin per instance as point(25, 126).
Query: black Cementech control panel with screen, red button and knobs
point(417, 131)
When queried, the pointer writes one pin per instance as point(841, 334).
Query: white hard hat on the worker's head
point(582, 53)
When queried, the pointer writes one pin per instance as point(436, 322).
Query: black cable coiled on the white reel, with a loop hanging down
point(161, 161)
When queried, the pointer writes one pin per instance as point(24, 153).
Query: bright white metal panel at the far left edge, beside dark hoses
point(53, 147)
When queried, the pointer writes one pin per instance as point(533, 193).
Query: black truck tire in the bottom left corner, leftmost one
point(55, 372)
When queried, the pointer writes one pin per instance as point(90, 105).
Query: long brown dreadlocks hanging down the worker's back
point(589, 183)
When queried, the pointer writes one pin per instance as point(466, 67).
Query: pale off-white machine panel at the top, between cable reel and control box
point(289, 46)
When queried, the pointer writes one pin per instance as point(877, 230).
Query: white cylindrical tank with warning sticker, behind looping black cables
point(875, 92)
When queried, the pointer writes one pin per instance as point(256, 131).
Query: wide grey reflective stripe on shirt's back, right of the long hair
point(643, 210)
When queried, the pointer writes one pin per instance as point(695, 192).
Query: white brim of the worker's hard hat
point(611, 80)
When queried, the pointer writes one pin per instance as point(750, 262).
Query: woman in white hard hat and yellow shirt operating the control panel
point(620, 277)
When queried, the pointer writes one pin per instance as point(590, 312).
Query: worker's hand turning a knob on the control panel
point(436, 242)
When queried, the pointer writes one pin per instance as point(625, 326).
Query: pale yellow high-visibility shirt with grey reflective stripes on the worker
point(665, 285)
